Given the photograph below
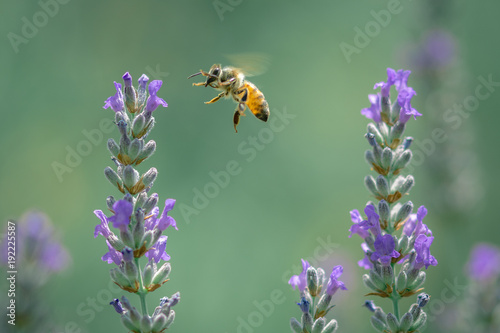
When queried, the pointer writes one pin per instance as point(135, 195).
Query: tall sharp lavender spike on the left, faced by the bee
point(140, 230)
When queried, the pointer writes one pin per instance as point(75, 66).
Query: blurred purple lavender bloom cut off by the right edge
point(484, 262)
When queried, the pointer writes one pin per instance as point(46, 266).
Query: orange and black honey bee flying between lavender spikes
point(231, 81)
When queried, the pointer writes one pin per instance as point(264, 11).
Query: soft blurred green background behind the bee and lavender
point(295, 194)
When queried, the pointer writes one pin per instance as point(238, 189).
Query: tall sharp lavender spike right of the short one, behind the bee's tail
point(396, 242)
